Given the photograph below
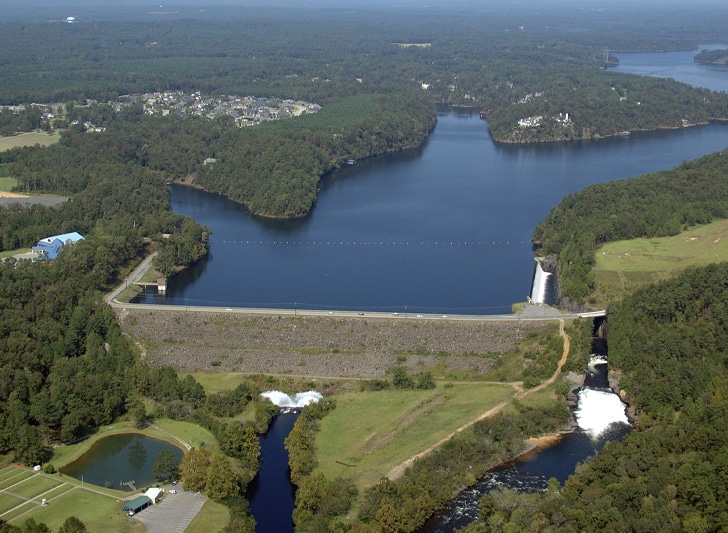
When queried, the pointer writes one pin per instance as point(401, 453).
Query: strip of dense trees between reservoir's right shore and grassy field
point(655, 205)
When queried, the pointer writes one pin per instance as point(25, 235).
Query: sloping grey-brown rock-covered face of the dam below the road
point(354, 347)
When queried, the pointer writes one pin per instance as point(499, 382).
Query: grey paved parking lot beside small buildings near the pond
point(174, 512)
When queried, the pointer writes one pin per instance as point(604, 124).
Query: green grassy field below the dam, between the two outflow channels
point(370, 433)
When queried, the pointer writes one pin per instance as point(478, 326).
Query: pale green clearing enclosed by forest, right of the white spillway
point(623, 266)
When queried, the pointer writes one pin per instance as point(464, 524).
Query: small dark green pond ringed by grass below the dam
point(118, 459)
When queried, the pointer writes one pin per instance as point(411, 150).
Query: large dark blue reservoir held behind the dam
point(445, 228)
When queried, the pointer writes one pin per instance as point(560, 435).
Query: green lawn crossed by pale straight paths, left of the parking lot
point(23, 492)
